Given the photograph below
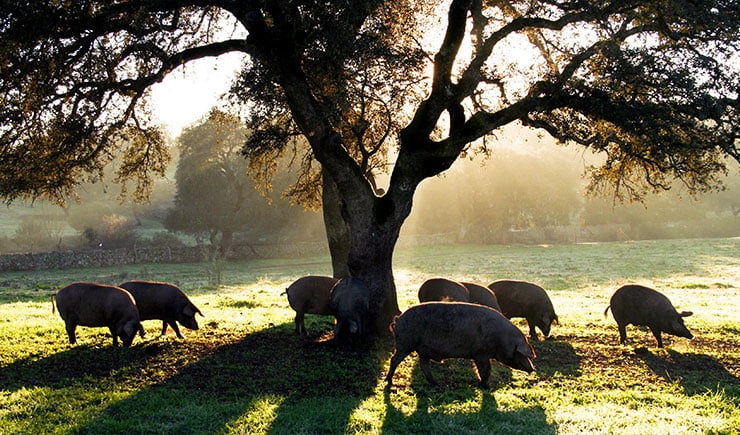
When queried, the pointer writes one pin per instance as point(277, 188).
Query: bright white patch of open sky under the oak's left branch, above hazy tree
point(190, 91)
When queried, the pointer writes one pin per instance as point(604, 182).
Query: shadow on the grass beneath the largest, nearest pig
point(429, 415)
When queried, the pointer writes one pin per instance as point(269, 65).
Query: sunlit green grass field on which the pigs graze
point(245, 371)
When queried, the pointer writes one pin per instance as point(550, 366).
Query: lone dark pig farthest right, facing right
point(642, 306)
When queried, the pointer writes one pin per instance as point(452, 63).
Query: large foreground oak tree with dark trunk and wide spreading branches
point(653, 85)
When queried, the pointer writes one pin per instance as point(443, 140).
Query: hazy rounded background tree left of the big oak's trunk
point(216, 200)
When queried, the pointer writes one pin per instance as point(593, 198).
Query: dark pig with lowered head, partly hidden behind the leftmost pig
point(166, 302)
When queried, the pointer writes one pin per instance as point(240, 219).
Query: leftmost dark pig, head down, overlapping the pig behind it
point(96, 305)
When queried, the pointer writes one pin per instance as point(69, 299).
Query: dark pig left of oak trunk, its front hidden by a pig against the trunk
point(310, 295)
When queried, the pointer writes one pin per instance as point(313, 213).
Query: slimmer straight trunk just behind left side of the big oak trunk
point(337, 231)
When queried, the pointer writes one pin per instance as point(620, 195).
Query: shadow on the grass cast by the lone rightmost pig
point(696, 373)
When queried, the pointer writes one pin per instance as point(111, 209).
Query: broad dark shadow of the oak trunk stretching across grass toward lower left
point(311, 385)
